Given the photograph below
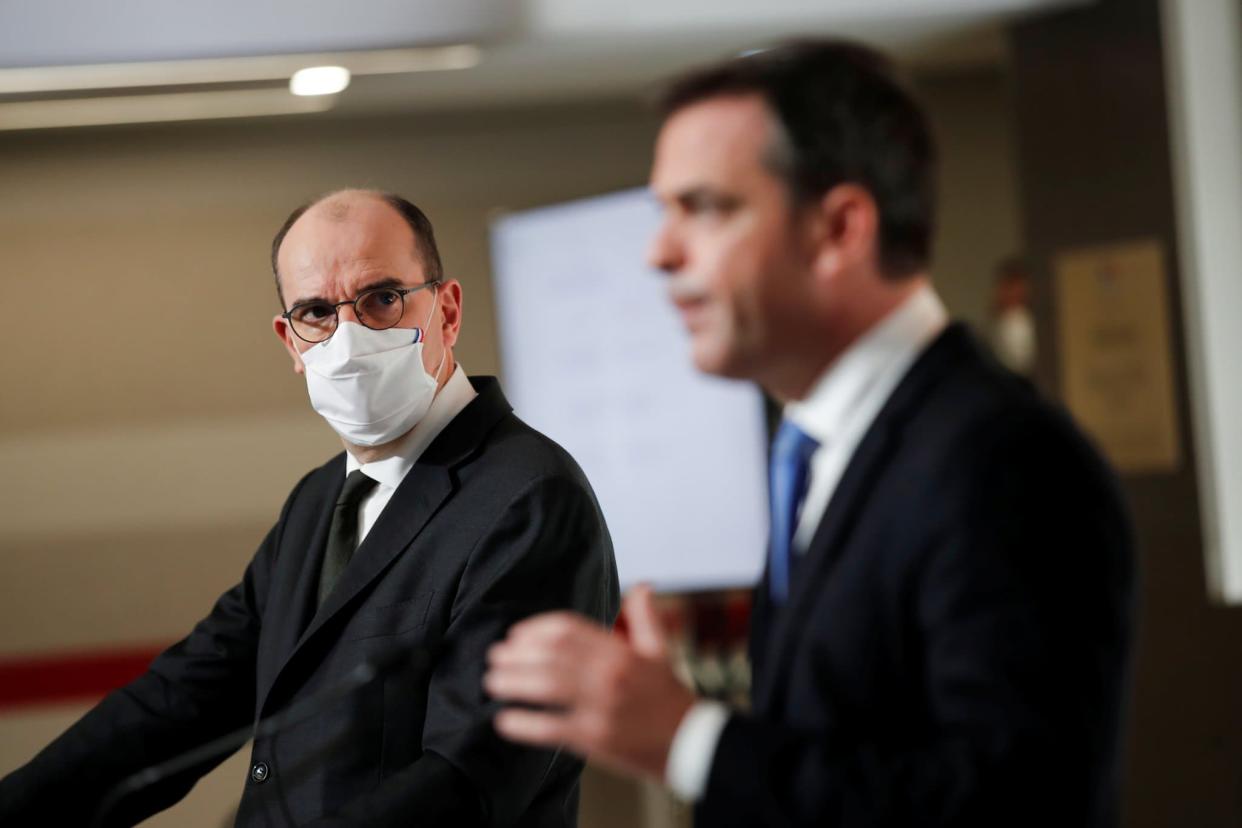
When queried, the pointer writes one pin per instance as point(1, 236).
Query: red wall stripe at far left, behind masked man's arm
point(86, 676)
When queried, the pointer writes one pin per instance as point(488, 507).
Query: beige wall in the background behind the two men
point(151, 425)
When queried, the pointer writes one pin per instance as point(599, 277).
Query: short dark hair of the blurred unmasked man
point(844, 117)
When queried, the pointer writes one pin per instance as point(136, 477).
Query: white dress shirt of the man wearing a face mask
point(391, 471)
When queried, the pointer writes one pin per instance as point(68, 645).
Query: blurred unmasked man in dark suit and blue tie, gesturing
point(943, 630)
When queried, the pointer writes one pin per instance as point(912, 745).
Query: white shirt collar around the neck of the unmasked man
point(860, 372)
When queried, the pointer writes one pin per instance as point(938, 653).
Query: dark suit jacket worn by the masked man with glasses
point(494, 523)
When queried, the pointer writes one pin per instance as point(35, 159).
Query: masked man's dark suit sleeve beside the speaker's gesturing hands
point(548, 549)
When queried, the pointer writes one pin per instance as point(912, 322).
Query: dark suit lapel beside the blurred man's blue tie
point(870, 460)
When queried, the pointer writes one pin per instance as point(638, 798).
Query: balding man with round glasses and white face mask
point(445, 521)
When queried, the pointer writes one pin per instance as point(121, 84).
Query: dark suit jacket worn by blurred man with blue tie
point(956, 647)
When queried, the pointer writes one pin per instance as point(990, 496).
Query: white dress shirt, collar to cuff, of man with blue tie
point(838, 413)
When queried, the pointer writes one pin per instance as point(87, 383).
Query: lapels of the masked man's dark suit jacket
point(424, 491)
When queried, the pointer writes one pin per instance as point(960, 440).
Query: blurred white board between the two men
point(597, 358)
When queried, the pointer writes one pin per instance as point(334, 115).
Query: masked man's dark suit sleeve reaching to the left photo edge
point(194, 692)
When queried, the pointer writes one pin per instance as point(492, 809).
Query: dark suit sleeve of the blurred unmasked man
point(1020, 606)
